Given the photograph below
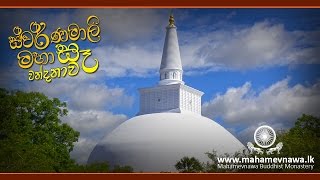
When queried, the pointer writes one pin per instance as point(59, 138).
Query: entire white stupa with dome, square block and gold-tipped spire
point(169, 124)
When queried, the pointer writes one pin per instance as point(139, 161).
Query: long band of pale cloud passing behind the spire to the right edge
point(263, 44)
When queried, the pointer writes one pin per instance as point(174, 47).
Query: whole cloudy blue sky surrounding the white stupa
point(255, 66)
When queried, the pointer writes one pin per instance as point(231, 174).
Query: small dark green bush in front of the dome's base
point(189, 165)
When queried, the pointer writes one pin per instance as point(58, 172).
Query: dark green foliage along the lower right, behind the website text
point(300, 141)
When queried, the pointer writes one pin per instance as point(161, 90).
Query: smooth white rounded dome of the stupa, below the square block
point(155, 142)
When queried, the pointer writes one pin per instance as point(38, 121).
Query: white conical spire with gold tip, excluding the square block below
point(171, 68)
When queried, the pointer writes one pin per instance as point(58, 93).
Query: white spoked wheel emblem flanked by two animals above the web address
point(264, 136)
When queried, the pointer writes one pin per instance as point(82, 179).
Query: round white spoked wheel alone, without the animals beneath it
point(264, 136)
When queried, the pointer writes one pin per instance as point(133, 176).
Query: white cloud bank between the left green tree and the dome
point(89, 102)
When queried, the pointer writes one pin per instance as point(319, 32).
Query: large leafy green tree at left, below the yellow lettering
point(32, 136)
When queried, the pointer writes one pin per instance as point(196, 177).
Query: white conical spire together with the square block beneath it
point(171, 95)
